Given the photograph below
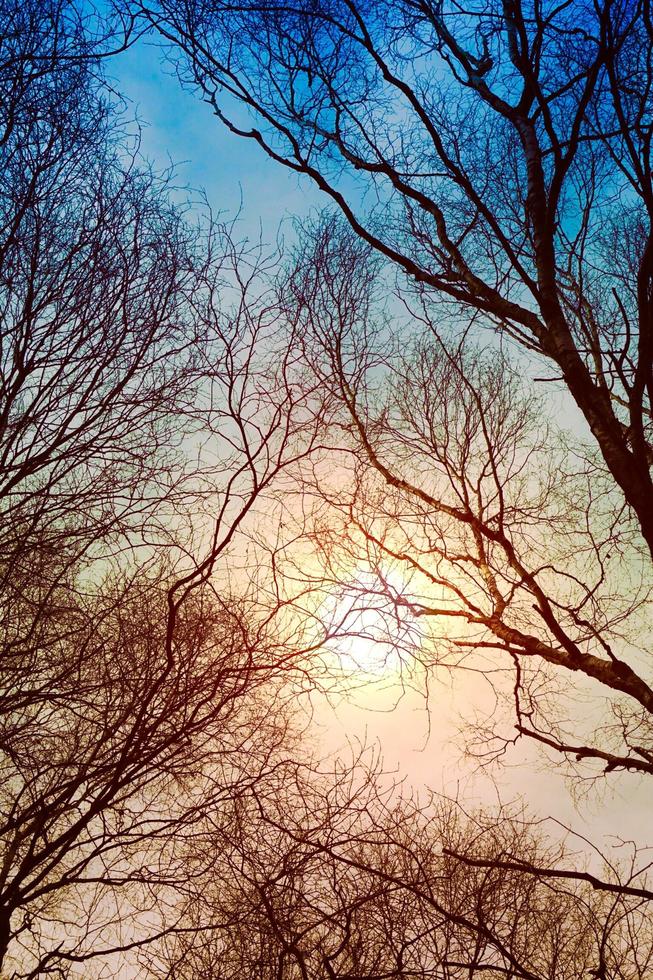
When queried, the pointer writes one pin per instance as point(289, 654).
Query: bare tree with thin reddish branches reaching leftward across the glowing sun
point(501, 536)
